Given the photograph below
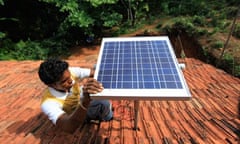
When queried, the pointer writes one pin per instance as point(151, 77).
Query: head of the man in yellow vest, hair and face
point(55, 73)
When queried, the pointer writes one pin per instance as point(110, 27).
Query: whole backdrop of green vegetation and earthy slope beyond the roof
point(37, 29)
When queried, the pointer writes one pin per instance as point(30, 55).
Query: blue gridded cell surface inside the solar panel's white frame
point(138, 64)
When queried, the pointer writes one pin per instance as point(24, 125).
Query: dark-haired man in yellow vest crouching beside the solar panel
point(67, 104)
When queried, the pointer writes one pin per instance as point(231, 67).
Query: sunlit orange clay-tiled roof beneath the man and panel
point(211, 116)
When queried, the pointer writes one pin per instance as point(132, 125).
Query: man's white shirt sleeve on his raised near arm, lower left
point(53, 110)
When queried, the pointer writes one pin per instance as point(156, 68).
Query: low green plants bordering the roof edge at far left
point(32, 50)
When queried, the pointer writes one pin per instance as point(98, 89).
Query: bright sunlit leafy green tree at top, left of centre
point(86, 15)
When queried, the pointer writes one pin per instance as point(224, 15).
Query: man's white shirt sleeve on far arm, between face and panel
point(80, 72)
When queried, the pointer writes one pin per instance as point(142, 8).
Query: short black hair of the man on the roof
point(51, 70)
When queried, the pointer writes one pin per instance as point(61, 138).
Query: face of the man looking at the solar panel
point(65, 83)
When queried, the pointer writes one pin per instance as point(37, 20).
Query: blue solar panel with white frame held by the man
point(139, 68)
